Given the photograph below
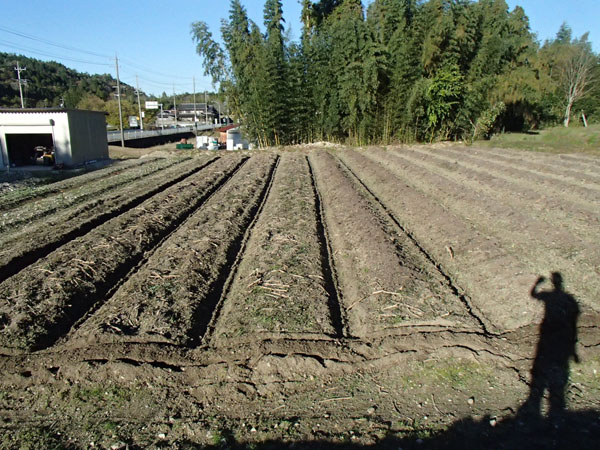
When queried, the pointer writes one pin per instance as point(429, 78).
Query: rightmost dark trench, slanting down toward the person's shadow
point(456, 290)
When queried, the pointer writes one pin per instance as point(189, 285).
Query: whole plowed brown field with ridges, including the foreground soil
point(317, 298)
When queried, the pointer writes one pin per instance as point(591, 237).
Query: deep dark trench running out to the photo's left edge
point(19, 263)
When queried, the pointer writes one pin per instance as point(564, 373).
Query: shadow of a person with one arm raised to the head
point(556, 346)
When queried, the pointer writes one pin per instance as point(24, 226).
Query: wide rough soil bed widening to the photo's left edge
point(40, 304)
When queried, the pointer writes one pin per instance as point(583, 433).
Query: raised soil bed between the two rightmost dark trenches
point(384, 281)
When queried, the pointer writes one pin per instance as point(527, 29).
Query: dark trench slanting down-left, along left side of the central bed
point(205, 336)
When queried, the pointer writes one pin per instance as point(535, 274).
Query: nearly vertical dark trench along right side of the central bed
point(338, 314)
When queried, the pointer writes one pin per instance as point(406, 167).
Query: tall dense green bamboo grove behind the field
point(403, 70)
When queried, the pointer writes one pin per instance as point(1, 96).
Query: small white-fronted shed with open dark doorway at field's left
point(77, 136)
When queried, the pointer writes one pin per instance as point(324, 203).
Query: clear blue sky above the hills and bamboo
point(152, 38)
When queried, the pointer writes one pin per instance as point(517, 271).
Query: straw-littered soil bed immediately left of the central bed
point(172, 297)
